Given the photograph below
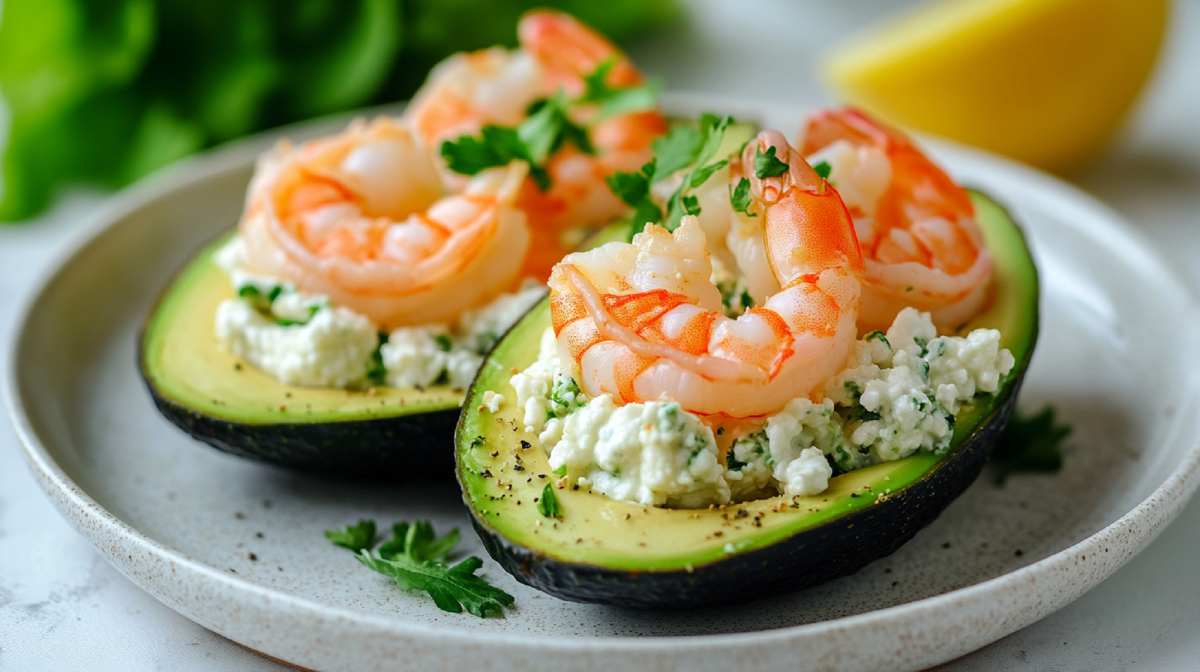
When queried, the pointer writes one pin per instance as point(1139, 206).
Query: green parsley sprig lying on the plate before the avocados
point(416, 559)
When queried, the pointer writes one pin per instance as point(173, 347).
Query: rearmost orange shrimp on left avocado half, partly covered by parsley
point(496, 87)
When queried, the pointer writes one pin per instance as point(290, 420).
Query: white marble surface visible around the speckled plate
point(63, 608)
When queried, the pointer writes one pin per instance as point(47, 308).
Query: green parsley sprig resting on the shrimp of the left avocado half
point(548, 128)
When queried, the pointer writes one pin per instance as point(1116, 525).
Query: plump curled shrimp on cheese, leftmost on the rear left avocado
point(362, 219)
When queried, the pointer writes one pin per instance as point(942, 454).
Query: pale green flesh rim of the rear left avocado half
point(183, 361)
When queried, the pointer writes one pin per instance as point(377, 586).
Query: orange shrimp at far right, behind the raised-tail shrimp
point(920, 238)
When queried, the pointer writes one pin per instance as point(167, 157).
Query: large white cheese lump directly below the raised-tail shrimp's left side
point(655, 454)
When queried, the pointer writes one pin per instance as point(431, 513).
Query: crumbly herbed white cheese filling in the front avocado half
point(898, 397)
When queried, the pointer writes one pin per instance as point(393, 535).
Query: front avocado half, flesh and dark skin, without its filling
point(626, 555)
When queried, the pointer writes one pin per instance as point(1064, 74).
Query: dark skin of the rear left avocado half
point(407, 448)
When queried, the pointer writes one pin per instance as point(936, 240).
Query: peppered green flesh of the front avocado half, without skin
point(502, 479)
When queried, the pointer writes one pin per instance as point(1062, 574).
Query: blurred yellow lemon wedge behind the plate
point(1046, 82)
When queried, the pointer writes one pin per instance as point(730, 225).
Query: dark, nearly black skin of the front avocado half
point(829, 551)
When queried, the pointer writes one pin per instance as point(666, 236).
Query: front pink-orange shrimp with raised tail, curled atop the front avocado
point(643, 321)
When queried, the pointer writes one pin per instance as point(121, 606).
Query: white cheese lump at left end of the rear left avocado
point(332, 351)
